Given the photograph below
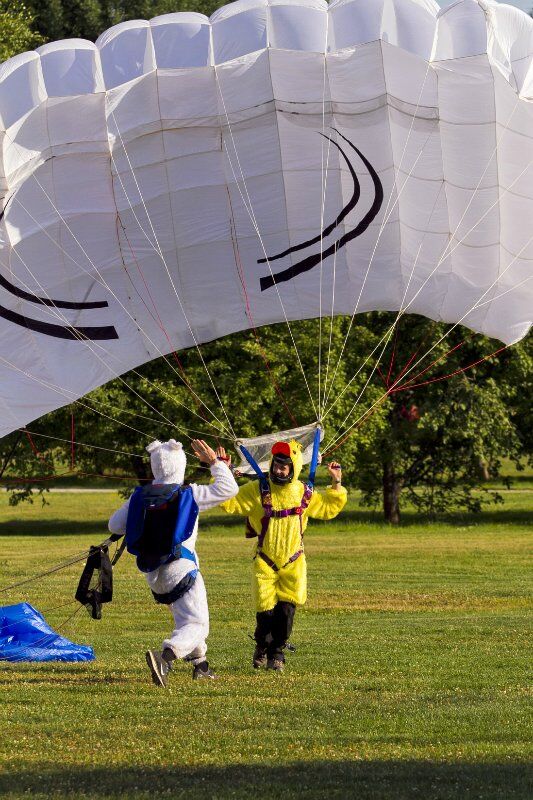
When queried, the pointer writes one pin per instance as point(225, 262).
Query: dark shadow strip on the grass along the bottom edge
point(364, 780)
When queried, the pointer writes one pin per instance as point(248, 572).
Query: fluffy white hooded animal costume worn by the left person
point(190, 612)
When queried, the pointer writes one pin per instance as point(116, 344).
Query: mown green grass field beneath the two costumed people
point(410, 679)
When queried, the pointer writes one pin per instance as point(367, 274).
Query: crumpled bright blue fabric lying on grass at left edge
point(26, 636)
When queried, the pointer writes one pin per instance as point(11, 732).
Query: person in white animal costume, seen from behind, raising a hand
point(181, 576)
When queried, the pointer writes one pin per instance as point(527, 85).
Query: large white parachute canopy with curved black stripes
point(186, 178)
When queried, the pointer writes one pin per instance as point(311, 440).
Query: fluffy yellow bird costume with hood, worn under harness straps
point(277, 578)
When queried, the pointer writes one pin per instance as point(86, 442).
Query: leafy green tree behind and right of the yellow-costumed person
point(437, 433)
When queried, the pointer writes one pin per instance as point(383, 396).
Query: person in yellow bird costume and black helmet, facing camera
point(277, 512)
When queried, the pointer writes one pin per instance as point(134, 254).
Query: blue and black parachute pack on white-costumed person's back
point(160, 518)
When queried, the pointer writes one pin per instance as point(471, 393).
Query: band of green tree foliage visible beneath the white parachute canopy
point(433, 444)
